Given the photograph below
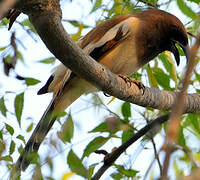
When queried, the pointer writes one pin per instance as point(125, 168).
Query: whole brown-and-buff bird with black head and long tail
point(124, 44)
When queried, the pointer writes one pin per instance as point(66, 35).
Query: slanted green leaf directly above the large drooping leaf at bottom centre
point(95, 144)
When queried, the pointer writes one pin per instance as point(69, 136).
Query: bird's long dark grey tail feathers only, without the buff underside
point(29, 153)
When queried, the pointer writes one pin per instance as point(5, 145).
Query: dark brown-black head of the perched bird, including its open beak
point(160, 31)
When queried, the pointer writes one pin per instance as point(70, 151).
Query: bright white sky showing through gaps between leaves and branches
point(81, 110)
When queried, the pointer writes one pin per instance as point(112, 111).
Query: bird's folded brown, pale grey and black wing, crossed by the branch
point(96, 43)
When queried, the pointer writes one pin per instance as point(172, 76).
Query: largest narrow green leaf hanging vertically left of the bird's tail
point(19, 104)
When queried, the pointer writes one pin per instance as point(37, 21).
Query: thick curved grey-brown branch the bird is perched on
point(47, 21)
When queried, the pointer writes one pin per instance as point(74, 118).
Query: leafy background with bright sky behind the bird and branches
point(96, 121)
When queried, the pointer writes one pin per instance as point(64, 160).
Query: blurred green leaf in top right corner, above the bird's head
point(186, 9)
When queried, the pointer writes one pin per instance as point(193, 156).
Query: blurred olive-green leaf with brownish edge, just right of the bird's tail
point(67, 131)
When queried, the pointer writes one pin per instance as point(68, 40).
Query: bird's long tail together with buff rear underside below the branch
point(62, 99)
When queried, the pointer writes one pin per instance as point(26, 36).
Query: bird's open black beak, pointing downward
point(175, 51)
